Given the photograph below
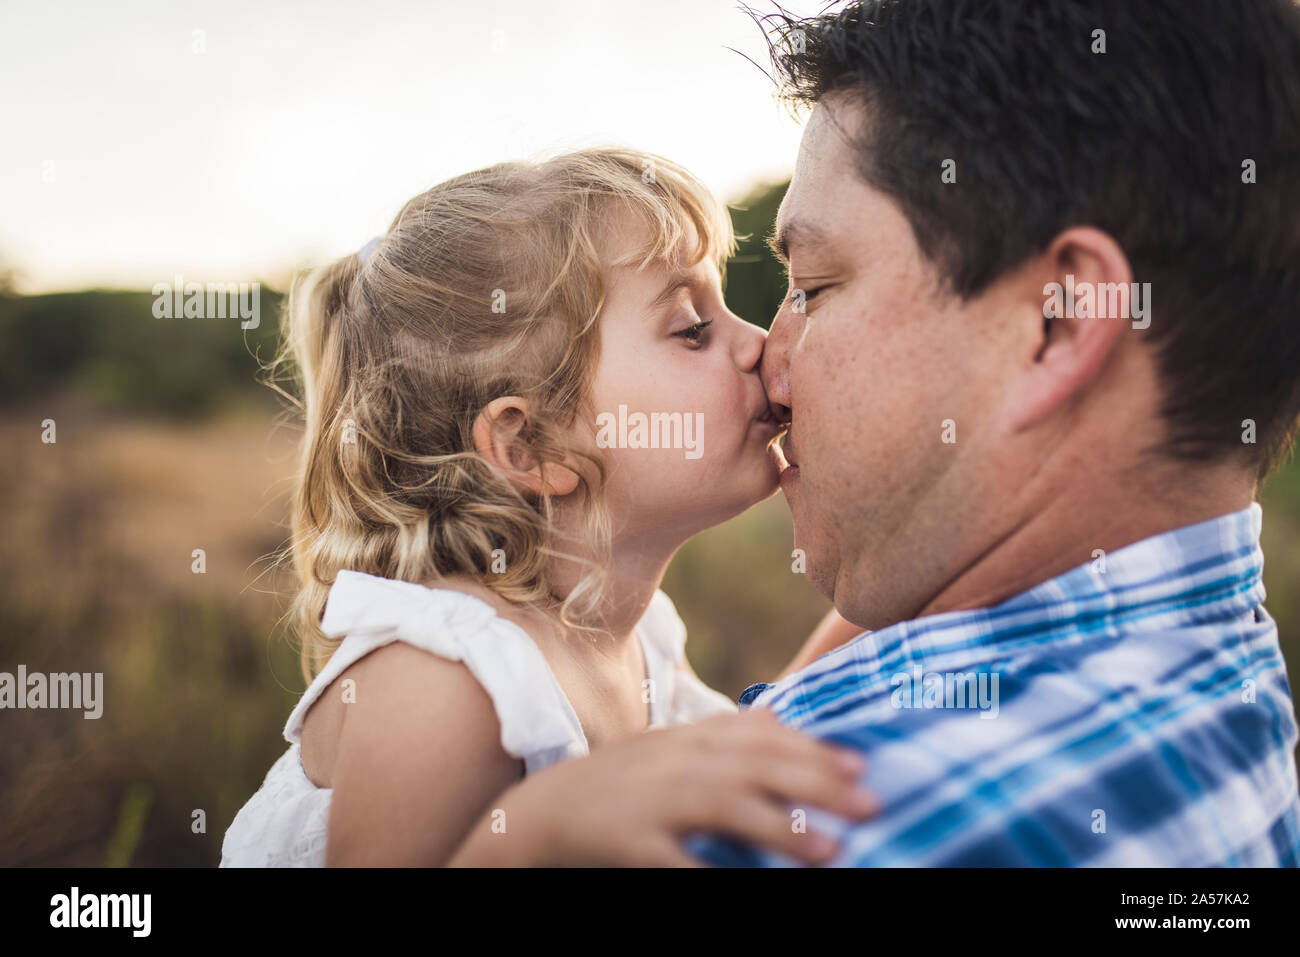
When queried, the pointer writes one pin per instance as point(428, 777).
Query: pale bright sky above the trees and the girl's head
point(304, 128)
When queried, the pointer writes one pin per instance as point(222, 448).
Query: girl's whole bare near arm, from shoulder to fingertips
point(422, 781)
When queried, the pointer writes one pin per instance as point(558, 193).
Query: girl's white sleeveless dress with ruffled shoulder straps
point(287, 822)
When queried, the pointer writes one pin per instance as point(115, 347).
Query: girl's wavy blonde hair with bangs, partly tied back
point(491, 284)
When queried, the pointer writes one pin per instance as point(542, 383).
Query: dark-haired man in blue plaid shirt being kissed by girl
point(1039, 353)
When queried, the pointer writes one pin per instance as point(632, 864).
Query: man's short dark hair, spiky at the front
point(1147, 141)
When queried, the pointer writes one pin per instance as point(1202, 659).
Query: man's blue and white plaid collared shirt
point(1133, 712)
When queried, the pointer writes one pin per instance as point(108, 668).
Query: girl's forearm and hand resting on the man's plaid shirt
point(632, 803)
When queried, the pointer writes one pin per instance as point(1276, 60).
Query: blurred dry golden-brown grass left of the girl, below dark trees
point(97, 575)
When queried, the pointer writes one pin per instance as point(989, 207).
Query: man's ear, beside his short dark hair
point(1071, 343)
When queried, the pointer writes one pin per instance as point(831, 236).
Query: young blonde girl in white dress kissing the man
point(519, 404)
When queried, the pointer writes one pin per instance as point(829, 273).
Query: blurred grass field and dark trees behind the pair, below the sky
point(166, 445)
